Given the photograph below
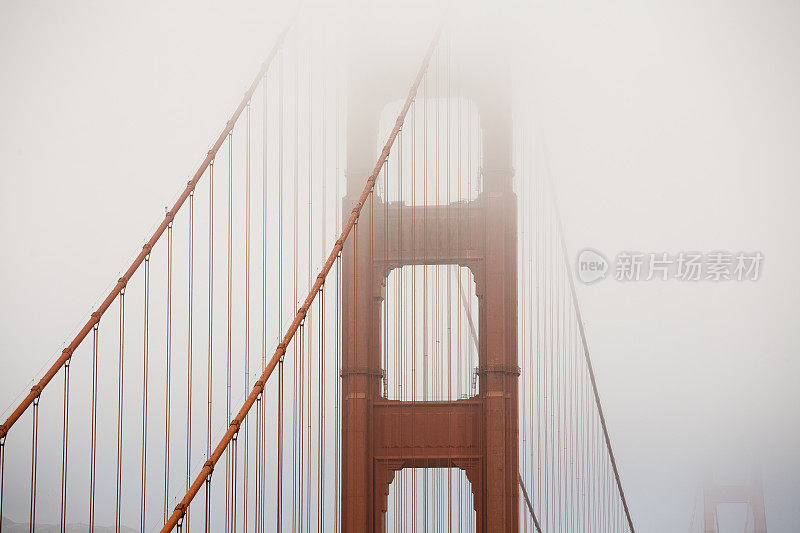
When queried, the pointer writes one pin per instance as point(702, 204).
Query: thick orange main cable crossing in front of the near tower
point(303, 310)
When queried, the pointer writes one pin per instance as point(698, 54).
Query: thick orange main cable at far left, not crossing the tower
point(95, 318)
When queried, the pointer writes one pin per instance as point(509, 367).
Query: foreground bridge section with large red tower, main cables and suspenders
point(358, 315)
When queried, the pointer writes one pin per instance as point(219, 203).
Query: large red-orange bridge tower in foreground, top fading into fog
point(478, 434)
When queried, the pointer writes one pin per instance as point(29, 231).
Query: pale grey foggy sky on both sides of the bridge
point(671, 126)
